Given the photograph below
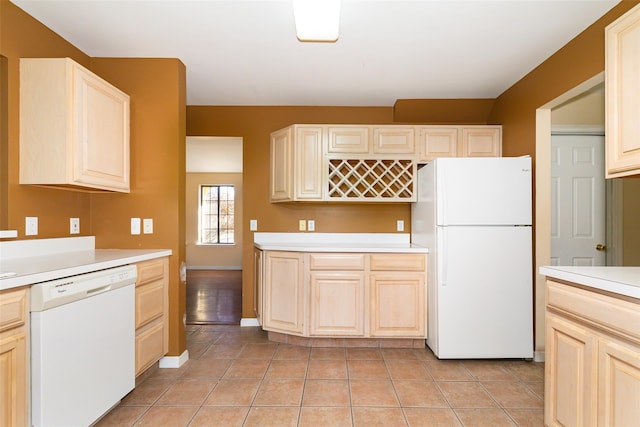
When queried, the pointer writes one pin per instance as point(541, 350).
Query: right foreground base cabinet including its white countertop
point(592, 368)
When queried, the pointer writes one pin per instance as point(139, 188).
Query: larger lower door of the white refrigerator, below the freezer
point(484, 292)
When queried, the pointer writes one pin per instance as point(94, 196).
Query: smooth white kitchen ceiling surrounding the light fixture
point(245, 52)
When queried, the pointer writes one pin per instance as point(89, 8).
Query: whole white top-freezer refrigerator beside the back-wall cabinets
point(474, 215)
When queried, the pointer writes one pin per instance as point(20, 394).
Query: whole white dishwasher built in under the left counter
point(82, 346)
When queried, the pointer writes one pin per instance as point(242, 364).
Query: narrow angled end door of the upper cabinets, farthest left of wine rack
point(281, 173)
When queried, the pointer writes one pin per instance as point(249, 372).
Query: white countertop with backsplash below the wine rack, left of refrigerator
point(337, 242)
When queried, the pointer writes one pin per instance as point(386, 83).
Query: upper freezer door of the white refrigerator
point(483, 191)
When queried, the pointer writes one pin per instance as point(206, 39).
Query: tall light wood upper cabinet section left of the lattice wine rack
point(296, 172)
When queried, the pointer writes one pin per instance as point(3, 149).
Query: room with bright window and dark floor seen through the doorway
point(214, 230)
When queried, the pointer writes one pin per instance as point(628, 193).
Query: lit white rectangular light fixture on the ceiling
point(317, 20)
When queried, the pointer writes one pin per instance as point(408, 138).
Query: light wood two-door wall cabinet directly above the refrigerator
point(458, 141)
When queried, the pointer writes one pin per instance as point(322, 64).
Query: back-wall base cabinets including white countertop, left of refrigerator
point(341, 289)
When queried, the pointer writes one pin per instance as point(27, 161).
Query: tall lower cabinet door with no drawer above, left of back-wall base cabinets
point(283, 292)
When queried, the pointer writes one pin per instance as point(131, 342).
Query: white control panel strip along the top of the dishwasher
point(47, 295)
